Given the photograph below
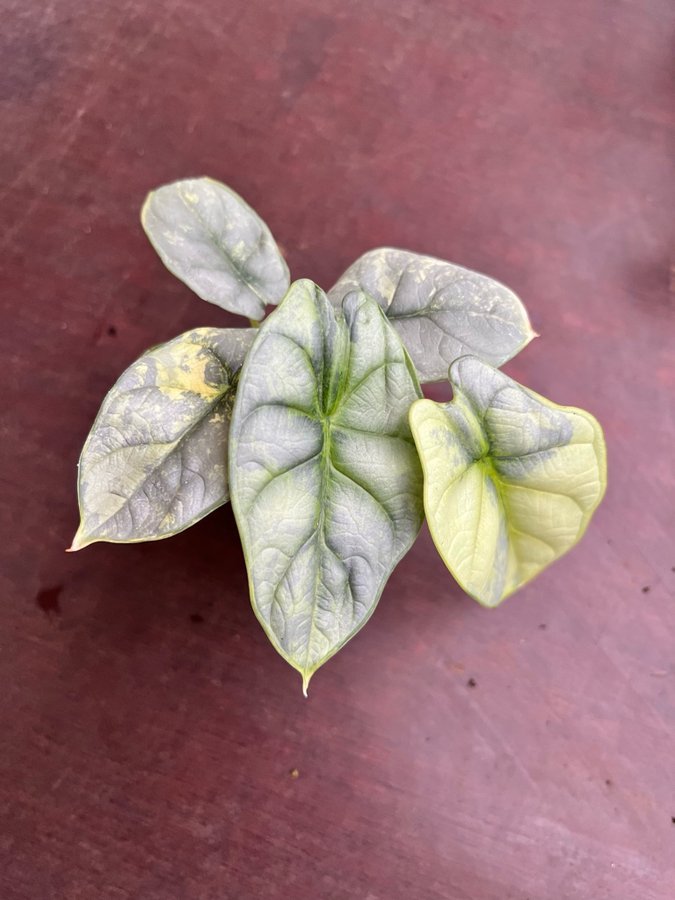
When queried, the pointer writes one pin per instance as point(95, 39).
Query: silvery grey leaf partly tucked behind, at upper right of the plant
point(441, 311)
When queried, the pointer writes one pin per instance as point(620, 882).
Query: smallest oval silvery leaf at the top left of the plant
point(213, 241)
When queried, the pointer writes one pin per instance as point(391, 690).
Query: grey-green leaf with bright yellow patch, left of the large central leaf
point(155, 460)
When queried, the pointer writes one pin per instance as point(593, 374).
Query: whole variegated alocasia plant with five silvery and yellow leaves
point(313, 423)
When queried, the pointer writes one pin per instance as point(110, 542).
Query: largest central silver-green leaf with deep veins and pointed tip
point(325, 480)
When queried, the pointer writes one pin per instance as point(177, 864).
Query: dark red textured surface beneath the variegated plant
point(147, 730)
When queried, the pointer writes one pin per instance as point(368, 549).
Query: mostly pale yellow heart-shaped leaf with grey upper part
point(510, 479)
